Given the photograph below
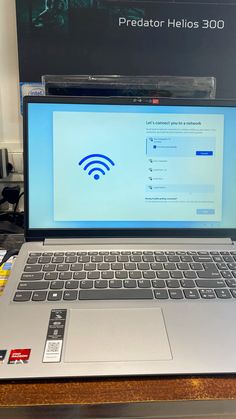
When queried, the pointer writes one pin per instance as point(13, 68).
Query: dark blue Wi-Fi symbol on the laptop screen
point(94, 165)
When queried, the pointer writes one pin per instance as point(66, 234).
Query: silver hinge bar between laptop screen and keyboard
point(216, 241)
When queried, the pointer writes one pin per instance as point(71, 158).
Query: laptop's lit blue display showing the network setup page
point(121, 164)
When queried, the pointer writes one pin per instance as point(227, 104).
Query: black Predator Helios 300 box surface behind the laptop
point(90, 41)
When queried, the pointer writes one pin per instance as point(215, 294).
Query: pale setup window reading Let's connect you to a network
point(137, 166)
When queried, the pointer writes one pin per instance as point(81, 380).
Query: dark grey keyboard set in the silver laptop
point(127, 275)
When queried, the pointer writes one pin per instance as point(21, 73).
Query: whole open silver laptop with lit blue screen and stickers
point(129, 265)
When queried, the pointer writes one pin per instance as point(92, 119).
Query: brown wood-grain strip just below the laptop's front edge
point(116, 390)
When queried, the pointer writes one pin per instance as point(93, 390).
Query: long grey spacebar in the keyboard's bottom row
point(121, 294)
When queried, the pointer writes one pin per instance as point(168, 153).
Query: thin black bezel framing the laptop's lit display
point(40, 234)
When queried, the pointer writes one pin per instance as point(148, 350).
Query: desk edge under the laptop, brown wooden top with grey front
point(119, 397)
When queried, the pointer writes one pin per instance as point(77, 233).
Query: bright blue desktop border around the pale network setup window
point(40, 166)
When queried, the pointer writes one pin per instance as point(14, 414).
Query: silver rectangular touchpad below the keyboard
point(106, 335)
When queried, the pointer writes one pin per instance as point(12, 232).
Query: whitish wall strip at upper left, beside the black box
point(10, 118)
